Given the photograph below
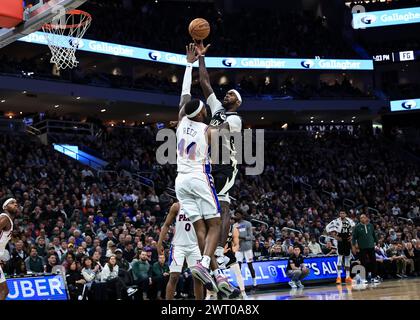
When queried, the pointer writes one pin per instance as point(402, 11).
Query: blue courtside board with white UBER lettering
point(51, 287)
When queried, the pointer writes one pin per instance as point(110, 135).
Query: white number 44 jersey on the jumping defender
point(192, 147)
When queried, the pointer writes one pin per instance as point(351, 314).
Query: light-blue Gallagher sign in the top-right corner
point(385, 18)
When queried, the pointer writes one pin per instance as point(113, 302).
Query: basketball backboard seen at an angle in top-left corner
point(36, 18)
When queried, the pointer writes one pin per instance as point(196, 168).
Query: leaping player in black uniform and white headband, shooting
point(224, 116)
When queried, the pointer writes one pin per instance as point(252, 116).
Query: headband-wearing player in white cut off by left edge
point(10, 208)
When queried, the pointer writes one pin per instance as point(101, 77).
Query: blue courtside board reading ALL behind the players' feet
point(274, 272)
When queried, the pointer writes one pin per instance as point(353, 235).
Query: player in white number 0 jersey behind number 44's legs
point(184, 246)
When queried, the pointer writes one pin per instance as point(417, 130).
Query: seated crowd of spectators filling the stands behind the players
point(102, 227)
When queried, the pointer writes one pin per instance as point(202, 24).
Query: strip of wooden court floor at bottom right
point(407, 289)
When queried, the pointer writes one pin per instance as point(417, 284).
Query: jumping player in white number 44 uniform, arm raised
point(194, 184)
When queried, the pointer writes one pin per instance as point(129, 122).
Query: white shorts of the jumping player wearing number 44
point(198, 196)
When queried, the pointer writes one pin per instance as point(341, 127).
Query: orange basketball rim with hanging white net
point(64, 37)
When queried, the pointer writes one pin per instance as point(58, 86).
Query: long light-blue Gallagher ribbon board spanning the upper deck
point(211, 62)
